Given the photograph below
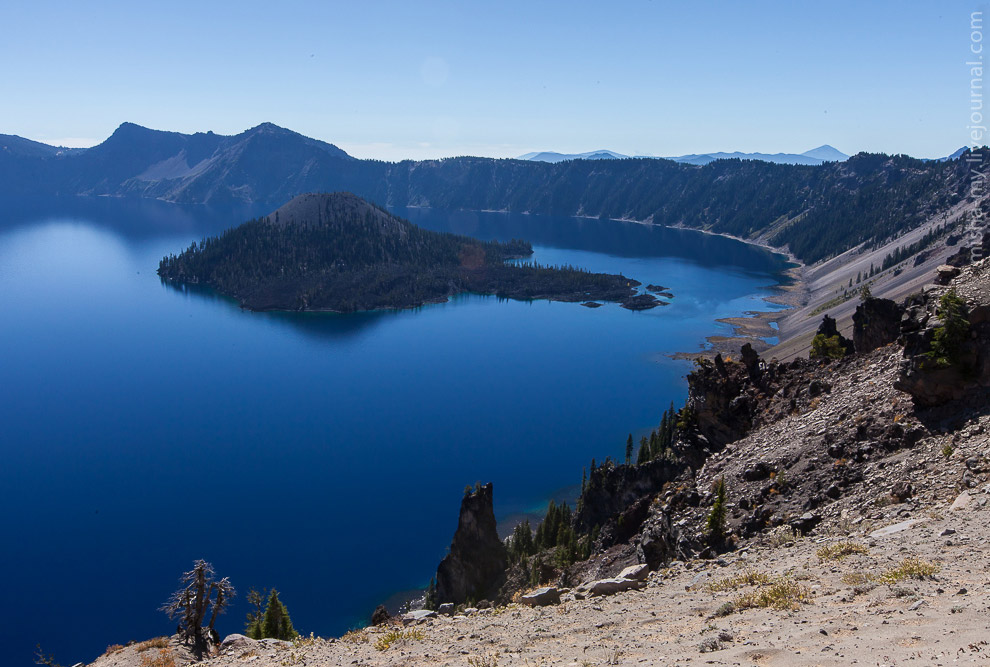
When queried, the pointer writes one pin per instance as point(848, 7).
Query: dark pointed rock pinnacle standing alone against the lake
point(475, 567)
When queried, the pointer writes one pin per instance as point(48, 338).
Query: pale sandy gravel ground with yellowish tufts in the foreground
point(935, 620)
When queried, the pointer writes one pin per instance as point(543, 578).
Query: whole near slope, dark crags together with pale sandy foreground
point(857, 527)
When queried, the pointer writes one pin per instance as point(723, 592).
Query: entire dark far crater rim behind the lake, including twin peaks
point(818, 211)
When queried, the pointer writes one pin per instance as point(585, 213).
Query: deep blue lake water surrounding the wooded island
point(144, 427)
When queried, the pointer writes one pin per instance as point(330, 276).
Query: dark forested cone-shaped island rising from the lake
point(338, 252)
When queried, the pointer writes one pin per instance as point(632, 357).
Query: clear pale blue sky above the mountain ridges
point(405, 79)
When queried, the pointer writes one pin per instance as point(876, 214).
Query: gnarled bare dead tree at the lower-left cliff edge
point(200, 591)
